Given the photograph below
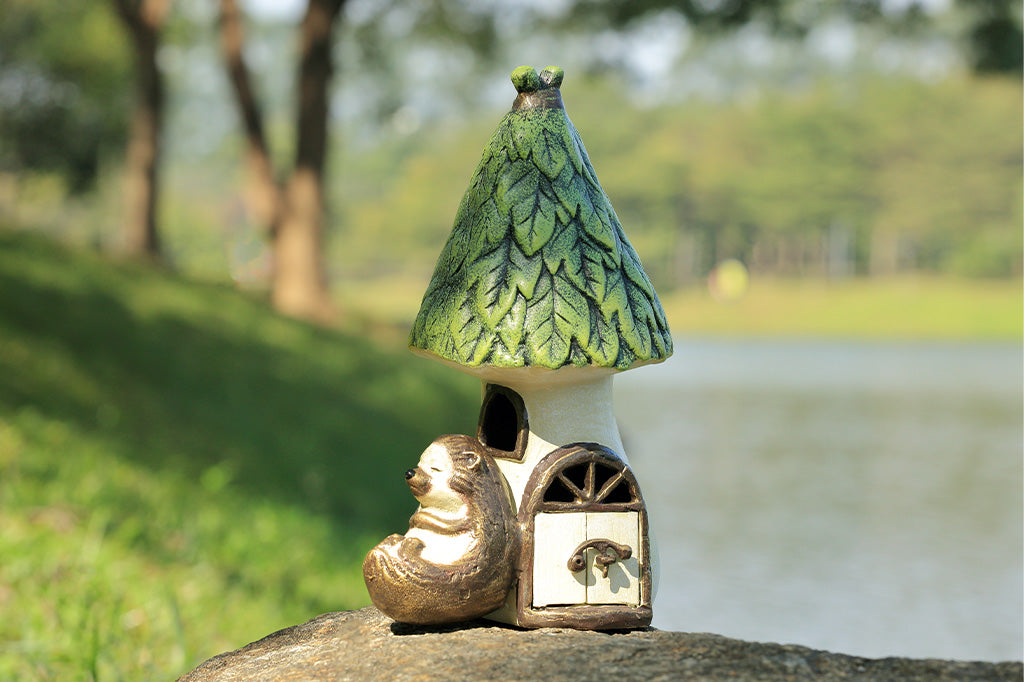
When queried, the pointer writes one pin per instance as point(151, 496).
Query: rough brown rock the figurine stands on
point(368, 646)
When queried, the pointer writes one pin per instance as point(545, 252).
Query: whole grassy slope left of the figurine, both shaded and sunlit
point(182, 471)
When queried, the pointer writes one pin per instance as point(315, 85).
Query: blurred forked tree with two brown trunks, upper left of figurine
point(292, 212)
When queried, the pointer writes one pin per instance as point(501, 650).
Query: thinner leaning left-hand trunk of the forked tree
point(264, 196)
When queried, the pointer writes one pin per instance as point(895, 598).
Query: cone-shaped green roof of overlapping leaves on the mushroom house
point(538, 272)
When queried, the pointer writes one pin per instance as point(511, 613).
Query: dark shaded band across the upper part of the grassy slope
point(206, 381)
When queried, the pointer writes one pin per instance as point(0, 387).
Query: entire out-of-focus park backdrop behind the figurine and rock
point(218, 219)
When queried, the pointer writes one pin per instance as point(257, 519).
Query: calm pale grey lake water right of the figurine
point(863, 498)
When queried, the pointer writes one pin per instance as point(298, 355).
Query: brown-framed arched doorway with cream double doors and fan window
point(586, 551)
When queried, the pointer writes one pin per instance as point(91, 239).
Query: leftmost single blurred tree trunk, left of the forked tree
point(144, 21)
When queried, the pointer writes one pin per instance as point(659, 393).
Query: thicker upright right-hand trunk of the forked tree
point(300, 278)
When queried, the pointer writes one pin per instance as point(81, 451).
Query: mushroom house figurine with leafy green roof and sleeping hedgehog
point(537, 521)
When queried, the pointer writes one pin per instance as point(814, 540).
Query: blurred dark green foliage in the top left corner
point(63, 100)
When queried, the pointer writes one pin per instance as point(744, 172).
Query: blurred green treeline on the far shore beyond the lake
point(840, 180)
